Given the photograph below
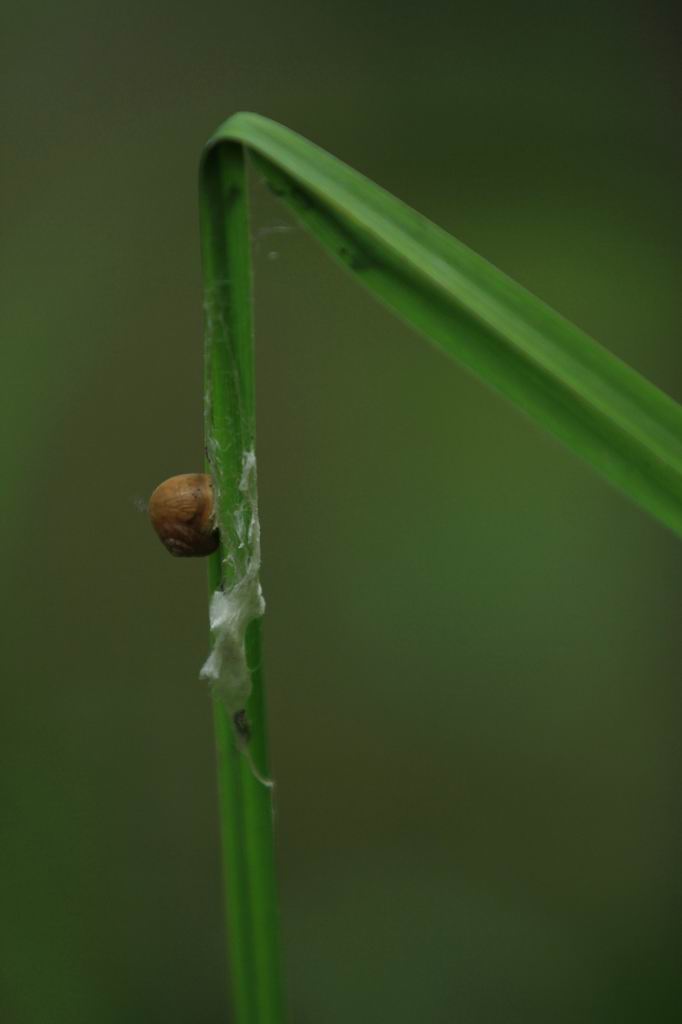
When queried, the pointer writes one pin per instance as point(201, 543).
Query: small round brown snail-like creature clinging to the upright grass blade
point(183, 513)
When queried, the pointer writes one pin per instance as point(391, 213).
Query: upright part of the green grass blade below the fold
point(246, 812)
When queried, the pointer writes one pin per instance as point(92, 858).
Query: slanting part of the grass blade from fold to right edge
point(605, 411)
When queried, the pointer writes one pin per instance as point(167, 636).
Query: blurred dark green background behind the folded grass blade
point(473, 644)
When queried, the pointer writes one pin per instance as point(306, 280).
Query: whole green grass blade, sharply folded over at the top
point(606, 412)
